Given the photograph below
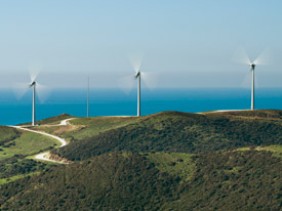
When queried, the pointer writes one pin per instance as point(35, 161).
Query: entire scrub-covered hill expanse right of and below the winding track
point(167, 161)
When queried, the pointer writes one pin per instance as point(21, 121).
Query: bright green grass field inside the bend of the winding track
point(27, 144)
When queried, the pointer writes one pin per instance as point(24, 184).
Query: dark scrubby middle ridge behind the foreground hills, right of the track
point(177, 132)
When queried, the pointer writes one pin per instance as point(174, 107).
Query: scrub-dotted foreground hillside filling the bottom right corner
point(248, 180)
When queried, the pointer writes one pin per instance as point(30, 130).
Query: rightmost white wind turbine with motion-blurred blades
point(262, 59)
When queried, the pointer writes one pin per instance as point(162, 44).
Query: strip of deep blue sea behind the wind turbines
point(114, 102)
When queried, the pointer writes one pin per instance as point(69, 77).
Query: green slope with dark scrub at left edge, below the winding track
point(16, 148)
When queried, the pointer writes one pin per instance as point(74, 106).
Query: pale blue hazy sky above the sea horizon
point(186, 43)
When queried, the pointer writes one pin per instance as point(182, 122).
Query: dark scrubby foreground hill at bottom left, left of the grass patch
point(109, 182)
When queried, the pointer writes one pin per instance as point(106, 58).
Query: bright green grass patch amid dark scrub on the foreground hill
point(175, 164)
